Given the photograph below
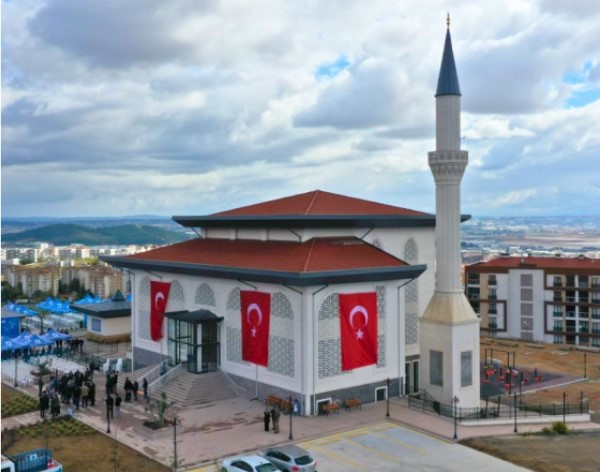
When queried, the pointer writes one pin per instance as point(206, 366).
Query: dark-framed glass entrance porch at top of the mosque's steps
point(194, 340)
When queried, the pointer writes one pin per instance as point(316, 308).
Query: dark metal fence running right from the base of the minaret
point(496, 408)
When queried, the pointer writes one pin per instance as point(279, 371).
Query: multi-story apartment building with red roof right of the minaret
point(548, 299)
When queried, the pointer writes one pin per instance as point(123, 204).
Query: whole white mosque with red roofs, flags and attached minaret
point(318, 295)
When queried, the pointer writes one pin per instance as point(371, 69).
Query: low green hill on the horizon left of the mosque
point(65, 234)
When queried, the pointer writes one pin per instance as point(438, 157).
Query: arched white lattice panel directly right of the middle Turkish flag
point(281, 336)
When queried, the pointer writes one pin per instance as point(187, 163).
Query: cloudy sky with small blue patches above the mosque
point(115, 107)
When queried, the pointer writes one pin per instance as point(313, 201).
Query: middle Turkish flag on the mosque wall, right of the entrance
point(256, 315)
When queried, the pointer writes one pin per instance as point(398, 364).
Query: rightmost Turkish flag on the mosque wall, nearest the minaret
point(358, 326)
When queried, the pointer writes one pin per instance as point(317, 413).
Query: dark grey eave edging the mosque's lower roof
point(303, 279)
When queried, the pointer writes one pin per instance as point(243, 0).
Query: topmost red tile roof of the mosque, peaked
point(319, 202)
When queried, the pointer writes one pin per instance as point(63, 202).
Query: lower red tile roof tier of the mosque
point(315, 255)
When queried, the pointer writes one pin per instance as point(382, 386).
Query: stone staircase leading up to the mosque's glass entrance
point(189, 389)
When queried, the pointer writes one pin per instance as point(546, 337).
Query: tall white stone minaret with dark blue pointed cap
point(449, 328)
